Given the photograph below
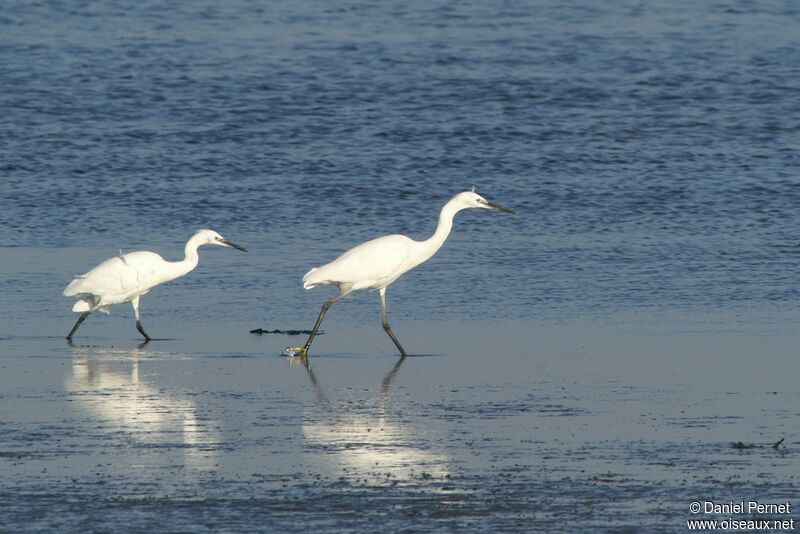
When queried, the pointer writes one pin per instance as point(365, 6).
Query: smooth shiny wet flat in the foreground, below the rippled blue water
point(497, 426)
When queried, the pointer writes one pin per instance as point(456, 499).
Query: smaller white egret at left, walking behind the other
point(128, 276)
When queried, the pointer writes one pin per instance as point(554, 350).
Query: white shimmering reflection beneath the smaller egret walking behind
point(106, 383)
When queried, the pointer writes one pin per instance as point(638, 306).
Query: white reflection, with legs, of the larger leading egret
point(371, 445)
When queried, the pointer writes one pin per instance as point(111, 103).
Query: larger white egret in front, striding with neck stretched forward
point(377, 263)
